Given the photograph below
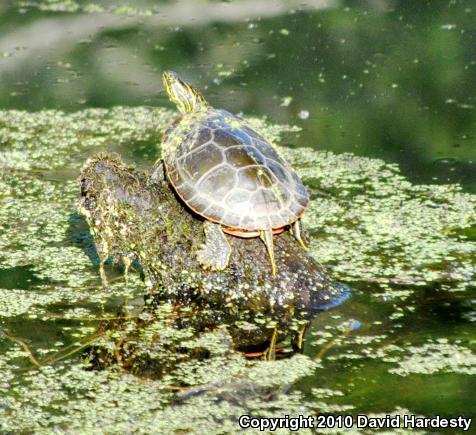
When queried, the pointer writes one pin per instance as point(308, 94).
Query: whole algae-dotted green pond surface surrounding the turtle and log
point(390, 82)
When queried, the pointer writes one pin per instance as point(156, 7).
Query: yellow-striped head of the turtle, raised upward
point(185, 96)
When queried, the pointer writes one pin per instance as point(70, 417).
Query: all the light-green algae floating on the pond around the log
point(366, 223)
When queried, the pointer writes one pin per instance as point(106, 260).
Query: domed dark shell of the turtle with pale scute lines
point(230, 174)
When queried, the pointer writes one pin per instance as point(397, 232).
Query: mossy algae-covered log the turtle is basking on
point(135, 216)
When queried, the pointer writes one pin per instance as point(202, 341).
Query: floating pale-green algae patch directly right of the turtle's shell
point(375, 226)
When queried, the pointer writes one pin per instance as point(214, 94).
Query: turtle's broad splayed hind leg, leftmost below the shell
point(215, 253)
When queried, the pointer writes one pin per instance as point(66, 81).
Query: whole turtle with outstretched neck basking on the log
point(228, 173)
